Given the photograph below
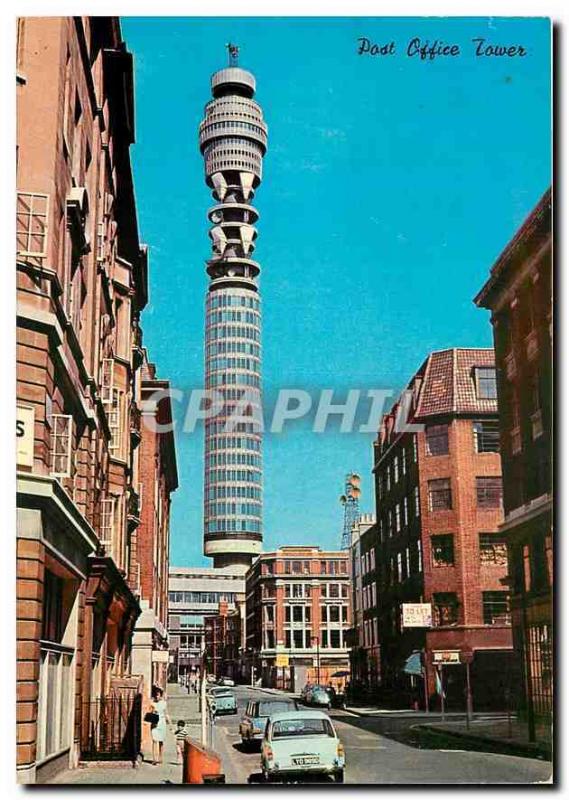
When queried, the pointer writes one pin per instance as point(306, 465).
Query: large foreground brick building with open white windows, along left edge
point(81, 286)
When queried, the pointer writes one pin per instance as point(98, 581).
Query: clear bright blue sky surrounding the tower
point(390, 186)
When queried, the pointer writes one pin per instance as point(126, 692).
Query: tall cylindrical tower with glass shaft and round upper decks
point(233, 141)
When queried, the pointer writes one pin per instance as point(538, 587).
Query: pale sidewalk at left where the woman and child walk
point(180, 706)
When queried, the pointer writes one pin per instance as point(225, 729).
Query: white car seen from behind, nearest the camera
point(297, 744)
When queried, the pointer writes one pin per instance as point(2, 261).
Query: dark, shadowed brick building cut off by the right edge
point(519, 295)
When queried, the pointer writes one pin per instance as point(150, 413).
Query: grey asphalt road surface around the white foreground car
point(375, 759)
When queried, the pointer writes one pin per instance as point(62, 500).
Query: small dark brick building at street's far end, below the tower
point(223, 642)
